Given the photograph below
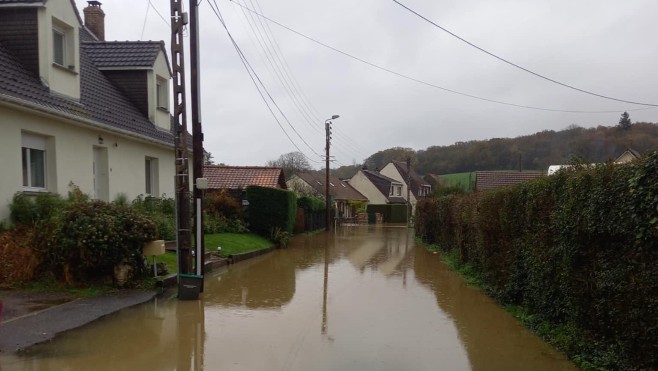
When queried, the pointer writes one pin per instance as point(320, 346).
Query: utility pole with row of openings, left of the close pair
point(183, 236)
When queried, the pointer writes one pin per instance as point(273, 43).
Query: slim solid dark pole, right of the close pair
point(197, 138)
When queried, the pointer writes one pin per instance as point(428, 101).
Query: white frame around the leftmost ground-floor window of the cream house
point(32, 144)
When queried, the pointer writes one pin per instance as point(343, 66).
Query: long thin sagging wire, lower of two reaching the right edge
point(424, 82)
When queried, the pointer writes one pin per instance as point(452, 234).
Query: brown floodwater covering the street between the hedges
point(360, 298)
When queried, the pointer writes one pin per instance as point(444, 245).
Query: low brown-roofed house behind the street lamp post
point(341, 192)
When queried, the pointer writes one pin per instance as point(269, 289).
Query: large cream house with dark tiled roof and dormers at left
point(75, 109)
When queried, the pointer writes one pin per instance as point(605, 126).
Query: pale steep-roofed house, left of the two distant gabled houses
point(377, 188)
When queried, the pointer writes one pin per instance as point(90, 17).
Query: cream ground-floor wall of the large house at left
point(70, 157)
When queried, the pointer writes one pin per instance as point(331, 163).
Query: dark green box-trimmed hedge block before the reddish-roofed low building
point(271, 208)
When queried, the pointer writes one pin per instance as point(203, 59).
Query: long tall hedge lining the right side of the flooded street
point(578, 250)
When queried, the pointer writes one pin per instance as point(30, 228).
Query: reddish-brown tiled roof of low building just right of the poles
point(239, 177)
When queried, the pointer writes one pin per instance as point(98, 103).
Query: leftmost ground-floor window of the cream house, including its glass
point(33, 154)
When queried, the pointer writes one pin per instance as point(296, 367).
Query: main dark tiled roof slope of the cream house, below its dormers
point(101, 103)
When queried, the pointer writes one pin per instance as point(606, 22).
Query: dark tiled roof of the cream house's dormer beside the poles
point(124, 54)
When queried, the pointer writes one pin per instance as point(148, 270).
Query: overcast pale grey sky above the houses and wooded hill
point(606, 47)
